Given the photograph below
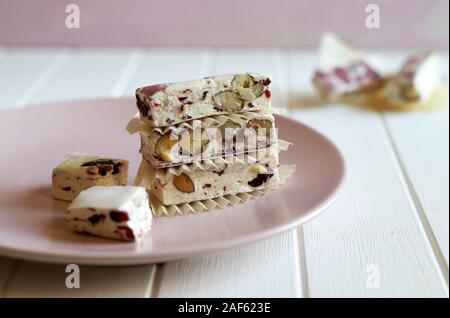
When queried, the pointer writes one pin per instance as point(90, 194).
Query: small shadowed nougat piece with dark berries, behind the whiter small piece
point(80, 172)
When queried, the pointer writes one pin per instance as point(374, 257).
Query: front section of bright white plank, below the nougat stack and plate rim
point(264, 269)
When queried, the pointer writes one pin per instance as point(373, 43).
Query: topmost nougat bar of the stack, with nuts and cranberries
point(164, 105)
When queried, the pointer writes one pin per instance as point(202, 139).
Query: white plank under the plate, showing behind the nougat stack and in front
point(241, 272)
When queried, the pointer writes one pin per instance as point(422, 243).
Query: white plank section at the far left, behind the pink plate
point(24, 71)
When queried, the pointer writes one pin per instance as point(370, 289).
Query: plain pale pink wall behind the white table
point(404, 23)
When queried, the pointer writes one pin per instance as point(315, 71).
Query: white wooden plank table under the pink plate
point(391, 221)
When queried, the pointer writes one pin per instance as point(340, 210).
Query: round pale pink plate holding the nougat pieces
point(32, 226)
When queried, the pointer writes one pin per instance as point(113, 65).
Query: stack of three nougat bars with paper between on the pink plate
point(207, 138)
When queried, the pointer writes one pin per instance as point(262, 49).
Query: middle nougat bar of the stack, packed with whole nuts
point(212, 137)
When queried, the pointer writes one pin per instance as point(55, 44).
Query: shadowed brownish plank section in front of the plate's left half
point(43, 280)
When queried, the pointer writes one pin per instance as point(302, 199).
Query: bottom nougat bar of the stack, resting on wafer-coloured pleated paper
point(193, 184)
